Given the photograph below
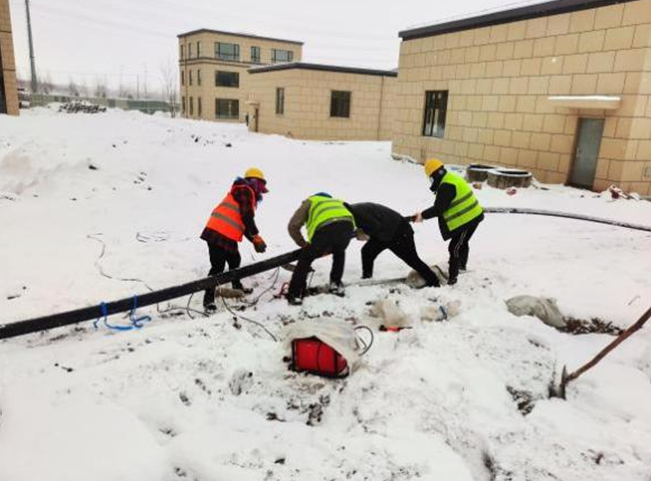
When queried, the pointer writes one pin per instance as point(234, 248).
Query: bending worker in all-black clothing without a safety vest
point(387, 229)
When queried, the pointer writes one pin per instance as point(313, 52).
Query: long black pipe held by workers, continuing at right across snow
point(44, 323)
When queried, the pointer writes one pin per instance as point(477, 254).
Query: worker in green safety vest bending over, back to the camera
point(329, 227)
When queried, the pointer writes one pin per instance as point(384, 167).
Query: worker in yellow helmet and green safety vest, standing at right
point(458, 212)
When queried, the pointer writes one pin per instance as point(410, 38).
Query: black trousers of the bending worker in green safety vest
point(329, 239)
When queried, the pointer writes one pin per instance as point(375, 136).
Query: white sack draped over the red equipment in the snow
point(337, 334)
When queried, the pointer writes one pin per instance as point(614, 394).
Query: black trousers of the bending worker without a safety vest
point(403, 246)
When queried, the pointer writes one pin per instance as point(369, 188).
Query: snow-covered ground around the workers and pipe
point(211, 399)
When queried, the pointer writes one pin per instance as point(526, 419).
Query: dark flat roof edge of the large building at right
point(525, 12)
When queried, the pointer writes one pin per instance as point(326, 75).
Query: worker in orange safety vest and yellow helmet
point(229, 223)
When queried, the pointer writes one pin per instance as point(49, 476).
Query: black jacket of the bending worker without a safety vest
point(377, 221)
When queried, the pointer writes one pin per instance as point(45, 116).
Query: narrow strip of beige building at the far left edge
point(8, 85)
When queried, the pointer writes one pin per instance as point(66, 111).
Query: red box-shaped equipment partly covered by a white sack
point(316, 357)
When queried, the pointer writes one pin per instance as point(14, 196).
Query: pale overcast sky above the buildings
point(121, 39)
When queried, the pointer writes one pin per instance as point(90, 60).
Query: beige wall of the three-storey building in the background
point(208, 64)
